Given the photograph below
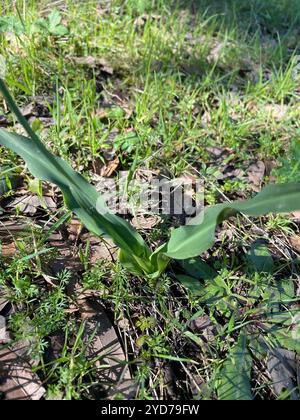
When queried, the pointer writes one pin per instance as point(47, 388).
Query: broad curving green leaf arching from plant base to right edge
point(192, 240)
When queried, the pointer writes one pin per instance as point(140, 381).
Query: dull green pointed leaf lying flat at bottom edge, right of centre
point(234, 377)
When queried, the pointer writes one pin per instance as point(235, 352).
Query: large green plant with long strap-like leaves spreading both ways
point(83, 199)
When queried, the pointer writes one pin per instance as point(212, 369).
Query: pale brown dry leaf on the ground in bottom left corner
point(18, 382)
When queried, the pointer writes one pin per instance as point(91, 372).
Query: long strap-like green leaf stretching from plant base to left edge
point(80, 196)
